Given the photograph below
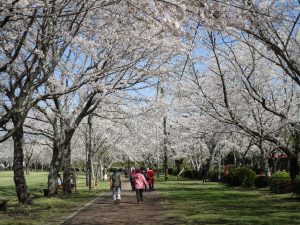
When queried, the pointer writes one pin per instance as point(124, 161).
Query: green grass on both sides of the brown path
point(191, 202)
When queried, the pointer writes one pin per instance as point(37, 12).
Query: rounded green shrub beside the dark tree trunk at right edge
point(281, 183)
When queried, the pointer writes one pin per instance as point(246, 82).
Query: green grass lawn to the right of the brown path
point(194, 202)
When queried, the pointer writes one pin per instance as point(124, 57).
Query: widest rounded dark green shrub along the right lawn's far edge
point(240, 176)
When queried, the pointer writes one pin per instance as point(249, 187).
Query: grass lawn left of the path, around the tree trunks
point(43, 210)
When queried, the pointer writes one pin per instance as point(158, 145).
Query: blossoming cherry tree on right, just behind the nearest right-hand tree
point(243, 97)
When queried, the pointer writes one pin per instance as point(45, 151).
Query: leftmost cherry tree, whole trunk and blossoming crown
point(35, 35)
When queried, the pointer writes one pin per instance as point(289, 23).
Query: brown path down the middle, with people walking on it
point(103, 211)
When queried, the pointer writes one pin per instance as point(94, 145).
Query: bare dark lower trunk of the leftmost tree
point(19, 177)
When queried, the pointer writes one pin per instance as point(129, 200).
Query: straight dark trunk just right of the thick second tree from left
point(67, 188)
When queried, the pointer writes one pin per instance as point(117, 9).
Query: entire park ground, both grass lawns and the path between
point(174, 202)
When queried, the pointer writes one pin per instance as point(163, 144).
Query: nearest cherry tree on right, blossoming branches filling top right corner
point(272, 24)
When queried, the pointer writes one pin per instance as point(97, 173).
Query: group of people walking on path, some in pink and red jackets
point(141, 180)
